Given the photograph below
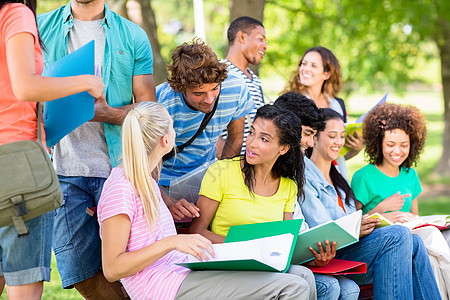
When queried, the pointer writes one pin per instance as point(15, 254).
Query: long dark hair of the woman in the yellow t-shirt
point(289, 165)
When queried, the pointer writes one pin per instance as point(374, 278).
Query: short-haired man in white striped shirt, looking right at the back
point(247, 45)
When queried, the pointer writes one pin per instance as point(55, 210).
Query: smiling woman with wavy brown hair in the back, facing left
point(318, 77)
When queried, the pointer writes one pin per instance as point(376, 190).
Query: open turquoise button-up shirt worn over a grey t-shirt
point(127, 53)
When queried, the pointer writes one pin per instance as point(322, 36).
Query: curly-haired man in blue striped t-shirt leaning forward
point(200, 86)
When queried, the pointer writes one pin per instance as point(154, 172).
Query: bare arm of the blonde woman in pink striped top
point(118, 263)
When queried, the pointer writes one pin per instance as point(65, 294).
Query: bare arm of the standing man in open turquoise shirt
point(143, 90)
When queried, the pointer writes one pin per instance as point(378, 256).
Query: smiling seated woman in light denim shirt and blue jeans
point(397, 262)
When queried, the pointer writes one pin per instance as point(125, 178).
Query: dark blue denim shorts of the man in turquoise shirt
point(76, 240)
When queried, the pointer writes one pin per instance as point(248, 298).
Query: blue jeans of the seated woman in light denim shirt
point(397, 264)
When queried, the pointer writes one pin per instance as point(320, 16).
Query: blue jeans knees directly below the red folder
point(336, 287)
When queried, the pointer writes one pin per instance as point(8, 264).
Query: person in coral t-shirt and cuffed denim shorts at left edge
point(25, 261)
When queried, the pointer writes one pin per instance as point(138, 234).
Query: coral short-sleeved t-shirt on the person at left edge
point(18, 119)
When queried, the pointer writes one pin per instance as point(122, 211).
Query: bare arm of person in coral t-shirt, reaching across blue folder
point(29, 86)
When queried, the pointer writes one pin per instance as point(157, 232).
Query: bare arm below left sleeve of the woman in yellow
point(200, 225)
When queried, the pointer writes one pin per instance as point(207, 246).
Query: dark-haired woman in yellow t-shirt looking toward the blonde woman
point(261, 186)
